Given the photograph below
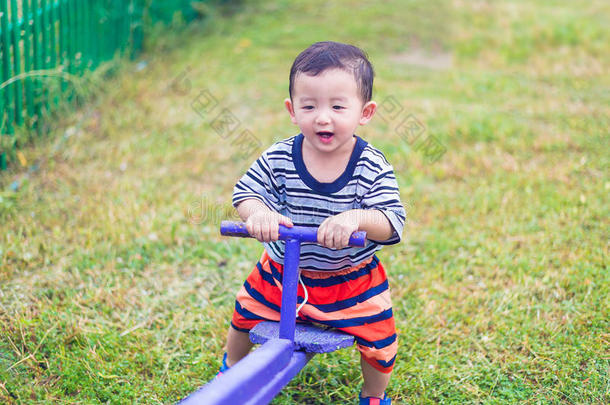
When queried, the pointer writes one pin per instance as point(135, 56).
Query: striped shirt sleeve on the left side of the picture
point(258, 183)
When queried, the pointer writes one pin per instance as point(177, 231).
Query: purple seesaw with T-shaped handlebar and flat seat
point(286, 347)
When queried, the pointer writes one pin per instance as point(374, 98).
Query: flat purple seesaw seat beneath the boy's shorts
point(307, 337)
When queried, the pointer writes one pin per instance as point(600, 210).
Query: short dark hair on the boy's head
point(335, 55)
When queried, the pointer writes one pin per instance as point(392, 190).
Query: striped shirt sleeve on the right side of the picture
point(384, 196)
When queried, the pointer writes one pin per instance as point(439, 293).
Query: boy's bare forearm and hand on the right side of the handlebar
point(335, 231)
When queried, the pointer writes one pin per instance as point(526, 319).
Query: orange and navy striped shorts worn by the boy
point(356, 301)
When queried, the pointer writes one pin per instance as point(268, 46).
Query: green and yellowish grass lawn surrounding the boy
point(116, 288)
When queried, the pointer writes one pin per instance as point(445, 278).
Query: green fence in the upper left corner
point(58, 38)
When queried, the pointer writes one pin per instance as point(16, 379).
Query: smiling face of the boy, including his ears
point(328, 108)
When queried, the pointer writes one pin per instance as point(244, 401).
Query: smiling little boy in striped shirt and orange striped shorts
point(328, 177)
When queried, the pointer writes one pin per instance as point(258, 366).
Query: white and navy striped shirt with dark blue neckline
point(280, 180)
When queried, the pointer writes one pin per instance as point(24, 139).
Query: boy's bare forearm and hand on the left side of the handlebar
point(261, 222)
